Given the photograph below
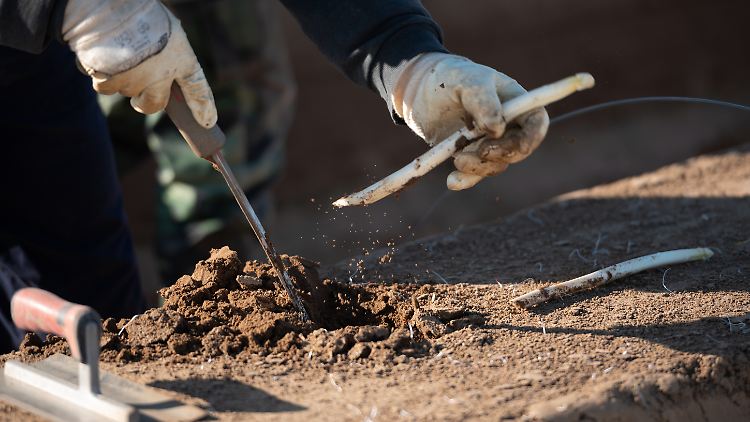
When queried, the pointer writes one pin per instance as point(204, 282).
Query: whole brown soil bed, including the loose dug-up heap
point(425, 330)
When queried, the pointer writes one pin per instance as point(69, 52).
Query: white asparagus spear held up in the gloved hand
point(513, 108)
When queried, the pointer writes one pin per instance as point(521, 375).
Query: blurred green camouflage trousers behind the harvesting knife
point(240, 47)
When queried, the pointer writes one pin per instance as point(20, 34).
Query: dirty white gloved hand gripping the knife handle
point(137, 48)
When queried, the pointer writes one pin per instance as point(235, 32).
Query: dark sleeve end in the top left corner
point(30, 25)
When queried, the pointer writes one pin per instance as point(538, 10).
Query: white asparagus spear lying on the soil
point(614, 272)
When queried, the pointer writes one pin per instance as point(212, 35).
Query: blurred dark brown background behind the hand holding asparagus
point(343, 139)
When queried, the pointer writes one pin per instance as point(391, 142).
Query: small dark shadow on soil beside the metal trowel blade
point(227, 395)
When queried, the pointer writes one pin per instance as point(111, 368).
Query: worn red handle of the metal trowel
point(38, 310)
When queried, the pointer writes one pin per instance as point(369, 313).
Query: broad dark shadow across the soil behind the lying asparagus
point(561, 240)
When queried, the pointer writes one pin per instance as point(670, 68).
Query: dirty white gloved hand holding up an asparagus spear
point(436, 94)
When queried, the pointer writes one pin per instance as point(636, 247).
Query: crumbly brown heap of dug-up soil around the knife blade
point(227, 308)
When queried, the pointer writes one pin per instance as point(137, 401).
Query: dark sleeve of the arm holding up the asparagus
point(369, 39)
